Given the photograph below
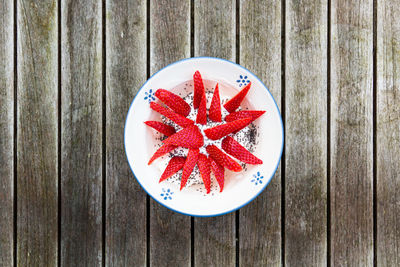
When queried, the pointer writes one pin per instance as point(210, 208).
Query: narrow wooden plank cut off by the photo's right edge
point(388, 133)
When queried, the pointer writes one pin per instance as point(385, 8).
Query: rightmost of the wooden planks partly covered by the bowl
point(260, 51)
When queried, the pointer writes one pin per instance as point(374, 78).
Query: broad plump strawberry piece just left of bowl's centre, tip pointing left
point(189, 137)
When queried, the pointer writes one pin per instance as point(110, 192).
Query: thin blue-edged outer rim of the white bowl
point(282, 141)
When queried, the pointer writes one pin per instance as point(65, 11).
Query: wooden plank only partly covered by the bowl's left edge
point(125, 73)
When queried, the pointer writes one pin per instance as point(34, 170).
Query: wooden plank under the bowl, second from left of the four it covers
point(169, 41)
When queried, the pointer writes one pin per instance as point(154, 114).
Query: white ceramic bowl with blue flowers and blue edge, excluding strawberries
point(240, 188)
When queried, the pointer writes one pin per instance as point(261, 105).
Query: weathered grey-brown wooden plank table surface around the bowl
point(69, 70)
